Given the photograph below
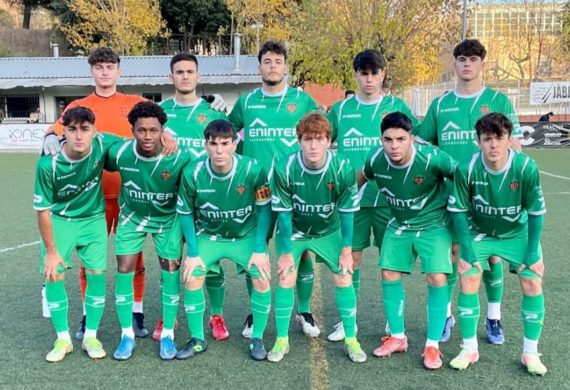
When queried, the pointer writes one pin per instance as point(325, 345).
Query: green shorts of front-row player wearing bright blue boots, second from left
point(168, 243)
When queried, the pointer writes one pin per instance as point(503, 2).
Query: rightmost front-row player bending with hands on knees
point(499, 193)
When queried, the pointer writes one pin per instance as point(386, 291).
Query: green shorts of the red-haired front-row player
point(327, 248)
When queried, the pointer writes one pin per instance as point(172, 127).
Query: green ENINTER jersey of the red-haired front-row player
point(315, 197)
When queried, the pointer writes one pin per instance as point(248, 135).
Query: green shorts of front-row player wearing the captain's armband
point(213, 251)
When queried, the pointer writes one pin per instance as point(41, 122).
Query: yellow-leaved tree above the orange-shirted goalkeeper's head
point(126, 26)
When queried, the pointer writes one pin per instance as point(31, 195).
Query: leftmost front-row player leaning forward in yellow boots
point(69, 203)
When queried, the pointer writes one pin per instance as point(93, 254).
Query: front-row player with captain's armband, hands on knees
point(224, 209)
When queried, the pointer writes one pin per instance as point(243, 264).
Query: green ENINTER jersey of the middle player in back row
point(269, 123)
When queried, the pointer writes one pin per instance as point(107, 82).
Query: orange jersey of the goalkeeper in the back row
point(110, 117)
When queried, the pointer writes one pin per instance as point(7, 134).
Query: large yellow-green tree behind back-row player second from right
point(410, 33)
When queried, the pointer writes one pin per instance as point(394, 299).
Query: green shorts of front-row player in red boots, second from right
point(400, 249)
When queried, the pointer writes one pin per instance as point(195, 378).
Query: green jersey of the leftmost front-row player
point(72, 188)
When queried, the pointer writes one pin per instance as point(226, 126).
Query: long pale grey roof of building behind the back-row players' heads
point(141, 70)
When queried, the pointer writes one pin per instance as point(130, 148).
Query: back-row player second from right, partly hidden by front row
point(355, 122)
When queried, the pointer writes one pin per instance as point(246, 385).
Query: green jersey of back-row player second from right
point(356, 129)
